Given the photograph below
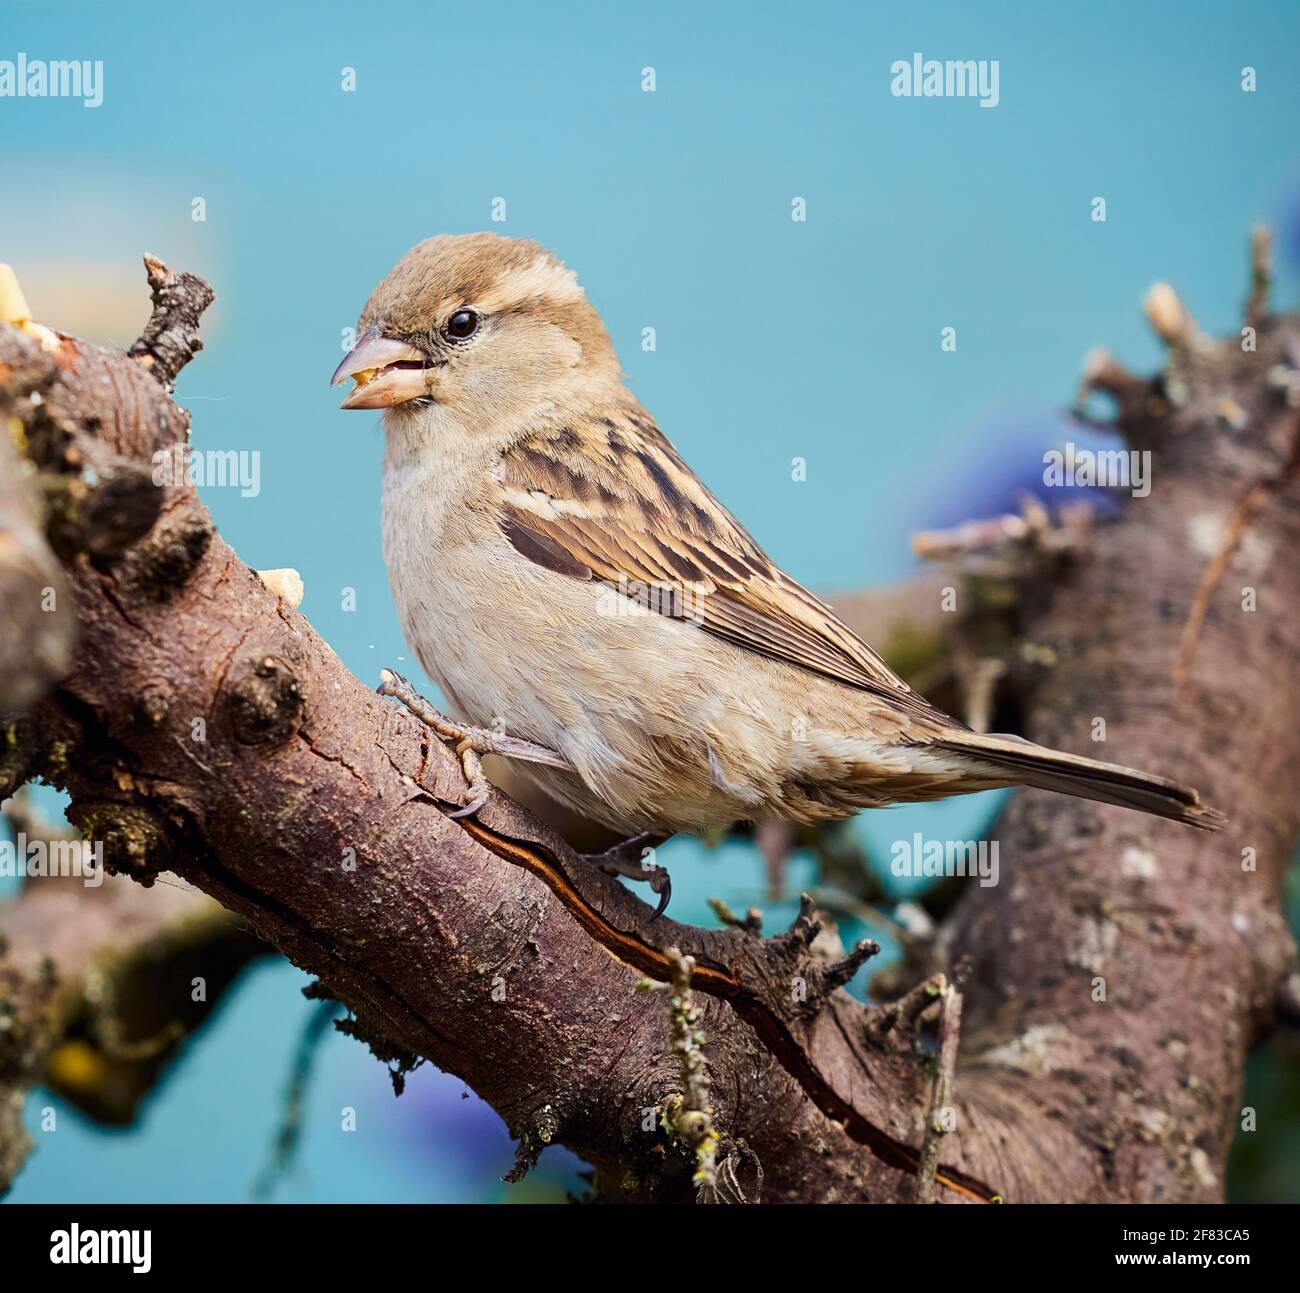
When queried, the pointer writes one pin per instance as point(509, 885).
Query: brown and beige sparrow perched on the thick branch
point(564, 575)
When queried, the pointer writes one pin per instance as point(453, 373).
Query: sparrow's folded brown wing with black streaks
point(613, 501)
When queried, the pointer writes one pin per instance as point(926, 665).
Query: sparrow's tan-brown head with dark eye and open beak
point(476, 323)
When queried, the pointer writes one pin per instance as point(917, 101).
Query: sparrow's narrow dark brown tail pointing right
point(1030, 765)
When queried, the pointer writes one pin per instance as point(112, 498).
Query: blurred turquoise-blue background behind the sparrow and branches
point(775, 339)
